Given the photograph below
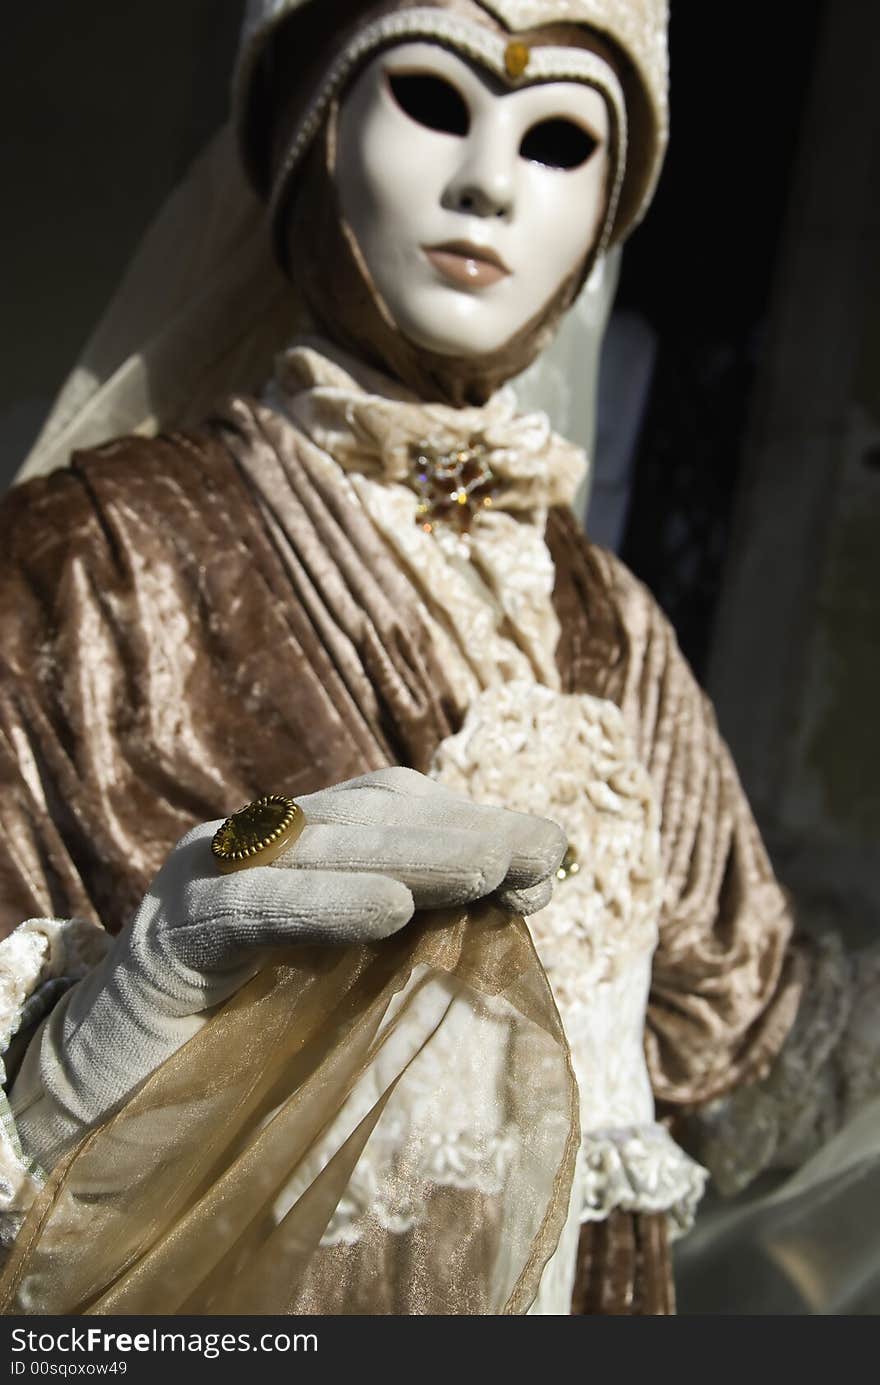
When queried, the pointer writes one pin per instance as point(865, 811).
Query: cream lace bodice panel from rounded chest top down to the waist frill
point(570, 760)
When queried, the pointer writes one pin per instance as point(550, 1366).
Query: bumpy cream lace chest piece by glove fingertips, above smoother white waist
point(570, 758)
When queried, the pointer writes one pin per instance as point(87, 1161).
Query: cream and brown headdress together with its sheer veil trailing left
point(203, 310)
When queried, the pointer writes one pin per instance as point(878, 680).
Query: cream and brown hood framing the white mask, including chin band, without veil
point(297, 60)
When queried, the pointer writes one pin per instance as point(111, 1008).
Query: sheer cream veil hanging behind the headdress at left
point(200, 312)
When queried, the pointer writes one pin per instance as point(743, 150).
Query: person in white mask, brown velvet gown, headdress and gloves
point(333, 1070)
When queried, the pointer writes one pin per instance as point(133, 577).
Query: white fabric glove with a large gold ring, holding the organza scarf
point(375, 850)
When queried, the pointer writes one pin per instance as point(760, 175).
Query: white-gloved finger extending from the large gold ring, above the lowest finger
point(440, 869)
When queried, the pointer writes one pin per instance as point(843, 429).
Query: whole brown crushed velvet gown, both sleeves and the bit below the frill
point(192, 621)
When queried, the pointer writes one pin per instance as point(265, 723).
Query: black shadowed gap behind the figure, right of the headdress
point(701, 271)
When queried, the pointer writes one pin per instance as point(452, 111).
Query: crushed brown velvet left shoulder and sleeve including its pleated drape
point(188, 623)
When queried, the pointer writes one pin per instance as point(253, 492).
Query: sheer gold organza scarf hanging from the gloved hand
point(379, 1129)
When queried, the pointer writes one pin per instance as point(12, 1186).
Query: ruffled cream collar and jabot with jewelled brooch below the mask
point(487, 585)
